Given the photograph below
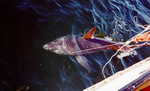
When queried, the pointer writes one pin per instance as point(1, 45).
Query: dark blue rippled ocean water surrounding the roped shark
point(29, 24)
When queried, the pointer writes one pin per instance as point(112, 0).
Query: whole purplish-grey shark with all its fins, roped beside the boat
point(79, 46)
